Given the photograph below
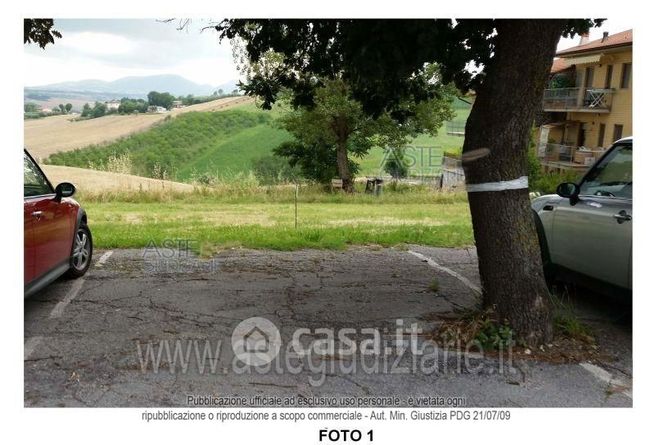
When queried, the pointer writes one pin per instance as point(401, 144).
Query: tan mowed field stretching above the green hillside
point(49, 135)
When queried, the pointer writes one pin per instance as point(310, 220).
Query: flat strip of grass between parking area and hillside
point(255, 218)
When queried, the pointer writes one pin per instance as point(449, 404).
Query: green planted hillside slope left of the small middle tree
point(219, 143)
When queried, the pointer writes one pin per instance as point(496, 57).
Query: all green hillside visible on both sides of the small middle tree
point(224, 144)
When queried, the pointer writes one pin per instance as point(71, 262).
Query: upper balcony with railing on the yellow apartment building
point(591, 100)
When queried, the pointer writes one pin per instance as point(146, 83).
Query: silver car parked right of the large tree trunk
point(585, 230)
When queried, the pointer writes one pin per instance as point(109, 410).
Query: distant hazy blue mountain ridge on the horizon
point(138, 86)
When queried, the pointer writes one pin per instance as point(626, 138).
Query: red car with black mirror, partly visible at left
point(57, 238)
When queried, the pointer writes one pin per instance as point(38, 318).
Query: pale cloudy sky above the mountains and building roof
point(108, 49)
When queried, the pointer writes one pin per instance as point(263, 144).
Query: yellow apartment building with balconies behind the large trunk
point(588, 103)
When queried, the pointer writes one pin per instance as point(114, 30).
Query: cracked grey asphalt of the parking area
point(92, 352)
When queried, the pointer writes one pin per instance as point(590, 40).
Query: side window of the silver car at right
point(612, 176)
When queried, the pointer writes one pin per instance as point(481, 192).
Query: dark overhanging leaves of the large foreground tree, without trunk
point(379, 59)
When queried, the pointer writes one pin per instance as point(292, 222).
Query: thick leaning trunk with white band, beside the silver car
point(500, 120)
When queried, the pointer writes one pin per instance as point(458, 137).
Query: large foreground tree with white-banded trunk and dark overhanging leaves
point(380, 58)
